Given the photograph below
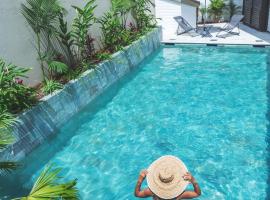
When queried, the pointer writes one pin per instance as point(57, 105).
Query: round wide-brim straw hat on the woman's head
point(165, 177)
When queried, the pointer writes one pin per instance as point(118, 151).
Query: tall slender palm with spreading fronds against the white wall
point(42, 16)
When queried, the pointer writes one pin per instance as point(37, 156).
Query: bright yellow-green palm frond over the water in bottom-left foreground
point(47, 186)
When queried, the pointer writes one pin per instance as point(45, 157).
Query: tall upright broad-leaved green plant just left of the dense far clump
point(81, 24)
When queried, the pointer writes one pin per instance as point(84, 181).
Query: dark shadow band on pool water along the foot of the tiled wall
point(18, 182)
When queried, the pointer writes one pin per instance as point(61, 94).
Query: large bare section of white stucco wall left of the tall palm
point(16, 39)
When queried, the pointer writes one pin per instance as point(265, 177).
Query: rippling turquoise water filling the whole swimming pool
point(206, 105)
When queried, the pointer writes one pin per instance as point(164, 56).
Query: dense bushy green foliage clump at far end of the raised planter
point(116, 33)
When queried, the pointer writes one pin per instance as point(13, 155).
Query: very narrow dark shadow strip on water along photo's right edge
point(267, 138)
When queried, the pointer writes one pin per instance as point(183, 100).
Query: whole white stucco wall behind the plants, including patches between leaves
point(17, 44)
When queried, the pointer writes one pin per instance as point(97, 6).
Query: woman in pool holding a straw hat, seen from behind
point(167, 178)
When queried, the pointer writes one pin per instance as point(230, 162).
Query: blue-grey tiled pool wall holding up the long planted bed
point(54, 110)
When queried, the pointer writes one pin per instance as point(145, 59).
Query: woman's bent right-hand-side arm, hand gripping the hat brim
point(196, 187)
